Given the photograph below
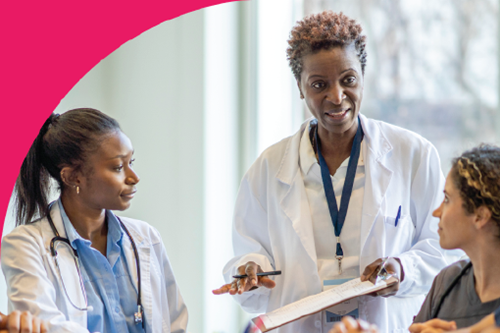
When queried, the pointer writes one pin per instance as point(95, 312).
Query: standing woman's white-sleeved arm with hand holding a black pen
point(251, 244)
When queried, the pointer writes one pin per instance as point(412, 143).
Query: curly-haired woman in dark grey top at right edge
point(464, 294)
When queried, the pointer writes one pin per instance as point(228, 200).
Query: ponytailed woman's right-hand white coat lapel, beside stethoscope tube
point(144, 251)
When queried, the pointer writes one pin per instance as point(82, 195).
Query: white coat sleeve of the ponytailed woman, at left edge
point(28, 286)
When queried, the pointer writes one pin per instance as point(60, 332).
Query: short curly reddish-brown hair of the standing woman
point(322, 32)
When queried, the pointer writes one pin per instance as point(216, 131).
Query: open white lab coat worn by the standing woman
point(272, 225)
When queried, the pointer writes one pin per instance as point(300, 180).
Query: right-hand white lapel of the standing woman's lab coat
point(378, 175)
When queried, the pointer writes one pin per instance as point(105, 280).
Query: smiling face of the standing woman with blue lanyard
point(331, 83)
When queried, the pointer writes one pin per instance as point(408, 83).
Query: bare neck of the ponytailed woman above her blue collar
point(88, 222)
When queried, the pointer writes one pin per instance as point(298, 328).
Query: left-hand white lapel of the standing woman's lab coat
point(294, 202)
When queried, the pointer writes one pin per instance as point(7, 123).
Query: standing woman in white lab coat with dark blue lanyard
point(328, 203)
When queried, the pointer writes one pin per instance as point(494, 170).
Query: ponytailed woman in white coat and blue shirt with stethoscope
point(80, 267)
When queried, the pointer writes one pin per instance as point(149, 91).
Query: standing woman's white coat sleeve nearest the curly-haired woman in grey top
point(423, 261)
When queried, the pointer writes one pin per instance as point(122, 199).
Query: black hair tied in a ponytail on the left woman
point(63, 140)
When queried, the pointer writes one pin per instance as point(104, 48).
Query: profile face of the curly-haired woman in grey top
point(456, 226)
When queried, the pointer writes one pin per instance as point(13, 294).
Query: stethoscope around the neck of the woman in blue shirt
point(138, 316)
